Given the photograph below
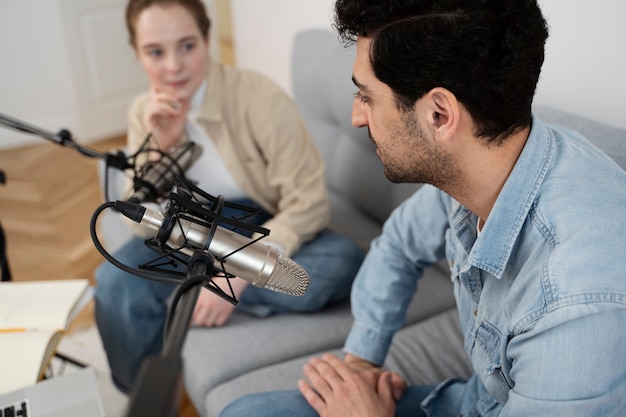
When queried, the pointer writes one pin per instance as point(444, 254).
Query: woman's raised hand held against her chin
point(165, 117)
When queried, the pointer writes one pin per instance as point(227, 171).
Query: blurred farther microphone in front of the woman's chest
point(160, 175)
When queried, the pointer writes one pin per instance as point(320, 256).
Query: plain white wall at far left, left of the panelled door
point(35, 79)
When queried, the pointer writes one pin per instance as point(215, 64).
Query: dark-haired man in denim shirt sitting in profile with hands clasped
point(529, 216)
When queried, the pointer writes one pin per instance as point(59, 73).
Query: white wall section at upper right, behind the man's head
point(585, 67)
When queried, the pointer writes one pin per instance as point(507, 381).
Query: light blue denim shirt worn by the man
point(541, 292)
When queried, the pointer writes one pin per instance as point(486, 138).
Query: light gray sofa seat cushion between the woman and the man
point(213, 356)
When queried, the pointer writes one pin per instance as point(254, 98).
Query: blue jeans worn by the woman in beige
point(131, 311)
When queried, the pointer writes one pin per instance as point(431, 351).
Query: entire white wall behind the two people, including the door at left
point(47, 59)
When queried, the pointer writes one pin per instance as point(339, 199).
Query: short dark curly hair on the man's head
point(488, 53)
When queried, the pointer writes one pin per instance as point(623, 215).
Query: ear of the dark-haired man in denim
point(443, 112)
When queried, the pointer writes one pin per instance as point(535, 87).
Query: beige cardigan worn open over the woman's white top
point(264, 143)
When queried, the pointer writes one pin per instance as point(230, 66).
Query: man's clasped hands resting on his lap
point(337, 390)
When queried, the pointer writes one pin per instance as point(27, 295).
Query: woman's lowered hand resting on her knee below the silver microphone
point(213, 311)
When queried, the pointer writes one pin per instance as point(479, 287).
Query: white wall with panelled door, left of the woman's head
point(67, 64)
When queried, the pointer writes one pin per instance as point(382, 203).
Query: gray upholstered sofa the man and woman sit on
point(251, 355)
